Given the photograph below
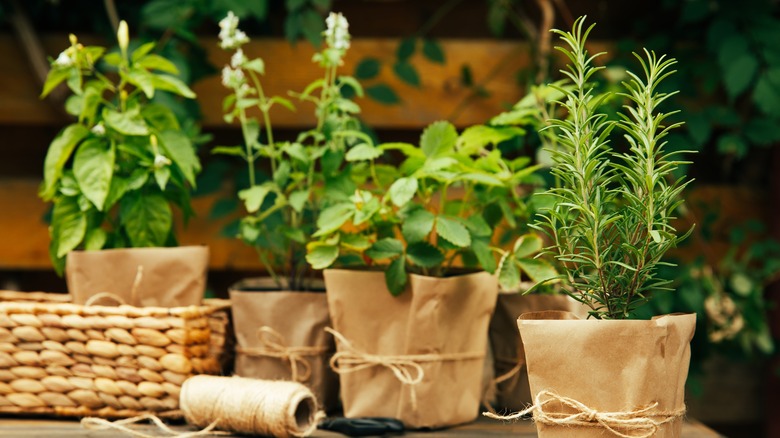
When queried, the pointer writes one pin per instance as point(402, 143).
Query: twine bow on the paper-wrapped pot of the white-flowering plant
point(272, 344)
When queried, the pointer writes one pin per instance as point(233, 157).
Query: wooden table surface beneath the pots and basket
point(483, 427)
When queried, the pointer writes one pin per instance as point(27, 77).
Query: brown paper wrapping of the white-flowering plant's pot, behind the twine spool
point(300, 318)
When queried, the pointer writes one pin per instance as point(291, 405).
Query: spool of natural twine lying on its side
point(249, 406)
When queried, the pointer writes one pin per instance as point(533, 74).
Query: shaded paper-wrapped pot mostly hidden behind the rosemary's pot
point(514, 394)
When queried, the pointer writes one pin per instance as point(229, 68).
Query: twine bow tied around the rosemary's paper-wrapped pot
point(639, 423)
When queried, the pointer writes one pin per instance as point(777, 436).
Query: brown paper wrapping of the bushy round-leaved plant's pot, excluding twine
point(432, 316)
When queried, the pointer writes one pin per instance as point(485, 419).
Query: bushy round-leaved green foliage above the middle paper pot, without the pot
point(435, 213)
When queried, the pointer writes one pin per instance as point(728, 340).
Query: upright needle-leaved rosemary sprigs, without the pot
point(610, 225)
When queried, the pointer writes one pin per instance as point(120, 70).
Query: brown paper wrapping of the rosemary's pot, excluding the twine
point(609, 365)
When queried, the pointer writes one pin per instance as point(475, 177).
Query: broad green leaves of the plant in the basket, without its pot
point(114, 174)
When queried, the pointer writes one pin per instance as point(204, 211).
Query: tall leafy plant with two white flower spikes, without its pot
point(307, 173)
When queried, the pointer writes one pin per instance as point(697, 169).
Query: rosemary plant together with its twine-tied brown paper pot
point(610, 225)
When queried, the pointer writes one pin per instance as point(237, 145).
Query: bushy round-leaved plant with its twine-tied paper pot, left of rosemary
point(411, 309)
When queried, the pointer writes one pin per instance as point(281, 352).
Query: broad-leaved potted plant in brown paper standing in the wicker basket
point(115, 173)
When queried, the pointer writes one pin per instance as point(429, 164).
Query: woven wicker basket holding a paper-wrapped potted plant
point(63, 359)
